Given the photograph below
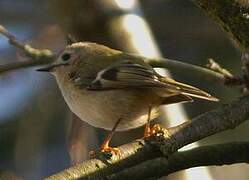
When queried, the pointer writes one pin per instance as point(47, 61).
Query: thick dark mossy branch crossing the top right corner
point(232, 16)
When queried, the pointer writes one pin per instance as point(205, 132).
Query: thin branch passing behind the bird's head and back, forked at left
point(45, 56)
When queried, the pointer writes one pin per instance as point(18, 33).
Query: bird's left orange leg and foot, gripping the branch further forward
point(105, 145)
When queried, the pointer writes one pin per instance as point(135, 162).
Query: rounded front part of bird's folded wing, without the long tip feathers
point(126, 74)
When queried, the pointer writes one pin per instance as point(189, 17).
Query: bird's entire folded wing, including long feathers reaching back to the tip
point(129, 74)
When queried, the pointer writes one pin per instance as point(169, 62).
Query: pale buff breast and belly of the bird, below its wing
point(103, 108)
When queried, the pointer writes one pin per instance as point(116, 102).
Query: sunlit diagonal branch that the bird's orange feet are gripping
point(166, 143)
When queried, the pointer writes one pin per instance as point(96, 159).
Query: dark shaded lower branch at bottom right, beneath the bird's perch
point(221, 154)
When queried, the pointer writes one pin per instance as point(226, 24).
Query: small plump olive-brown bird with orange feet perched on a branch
point(114, 90)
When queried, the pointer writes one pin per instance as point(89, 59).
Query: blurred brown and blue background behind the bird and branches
point(39, 136)
